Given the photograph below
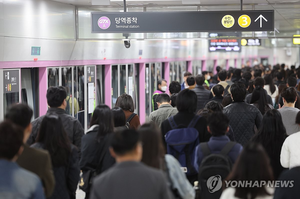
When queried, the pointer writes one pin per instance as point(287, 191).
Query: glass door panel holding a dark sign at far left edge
point(10, 89)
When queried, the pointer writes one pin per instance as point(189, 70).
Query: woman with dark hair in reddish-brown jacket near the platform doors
point(125, 102)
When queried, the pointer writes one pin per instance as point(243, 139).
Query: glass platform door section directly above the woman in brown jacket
point(124, 80)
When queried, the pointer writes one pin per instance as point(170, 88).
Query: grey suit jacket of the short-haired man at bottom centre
point(130, 180)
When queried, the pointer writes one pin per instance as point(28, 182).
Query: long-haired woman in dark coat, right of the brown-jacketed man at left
point(53, 138)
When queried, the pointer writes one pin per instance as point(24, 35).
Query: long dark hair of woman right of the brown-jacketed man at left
point(54, 139)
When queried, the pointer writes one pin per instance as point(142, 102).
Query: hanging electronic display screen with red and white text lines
point(224, 42)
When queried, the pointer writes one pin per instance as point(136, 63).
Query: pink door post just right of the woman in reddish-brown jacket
point(142, 93)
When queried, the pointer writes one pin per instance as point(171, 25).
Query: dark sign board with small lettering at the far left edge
point(11, 81)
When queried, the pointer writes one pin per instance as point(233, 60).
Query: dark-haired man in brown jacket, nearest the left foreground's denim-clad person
point(34, 160)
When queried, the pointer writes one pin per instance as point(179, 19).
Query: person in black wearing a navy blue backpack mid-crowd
point(184, 131)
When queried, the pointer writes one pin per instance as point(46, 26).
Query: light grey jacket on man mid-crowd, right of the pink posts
point(162, 113)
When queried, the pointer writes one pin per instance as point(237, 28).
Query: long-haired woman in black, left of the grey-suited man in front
point(95, 156)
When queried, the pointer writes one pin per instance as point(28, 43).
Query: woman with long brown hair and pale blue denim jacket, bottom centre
point(154, 156)
